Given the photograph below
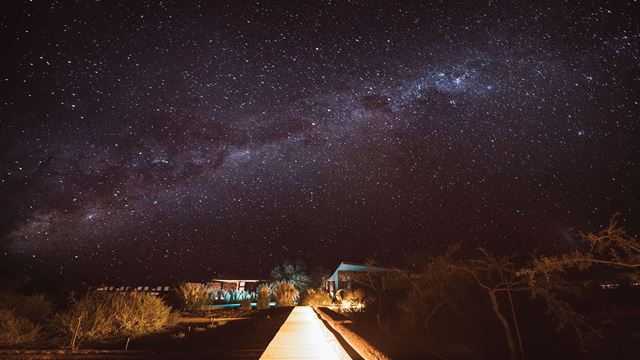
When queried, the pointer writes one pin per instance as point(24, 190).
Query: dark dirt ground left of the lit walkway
point(204, 337)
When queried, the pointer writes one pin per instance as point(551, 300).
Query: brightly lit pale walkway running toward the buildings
point(304, 336)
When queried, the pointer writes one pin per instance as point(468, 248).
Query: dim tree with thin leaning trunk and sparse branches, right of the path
point(444, 280)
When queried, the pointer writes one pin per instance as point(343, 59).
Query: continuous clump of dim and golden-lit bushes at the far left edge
point(27, 320)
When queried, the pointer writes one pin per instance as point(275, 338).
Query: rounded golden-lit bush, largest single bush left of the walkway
point(100, 316)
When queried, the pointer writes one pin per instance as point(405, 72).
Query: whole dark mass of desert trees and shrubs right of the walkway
point(516, 302)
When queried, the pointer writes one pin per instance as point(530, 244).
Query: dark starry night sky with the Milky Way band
point(172, 140)
